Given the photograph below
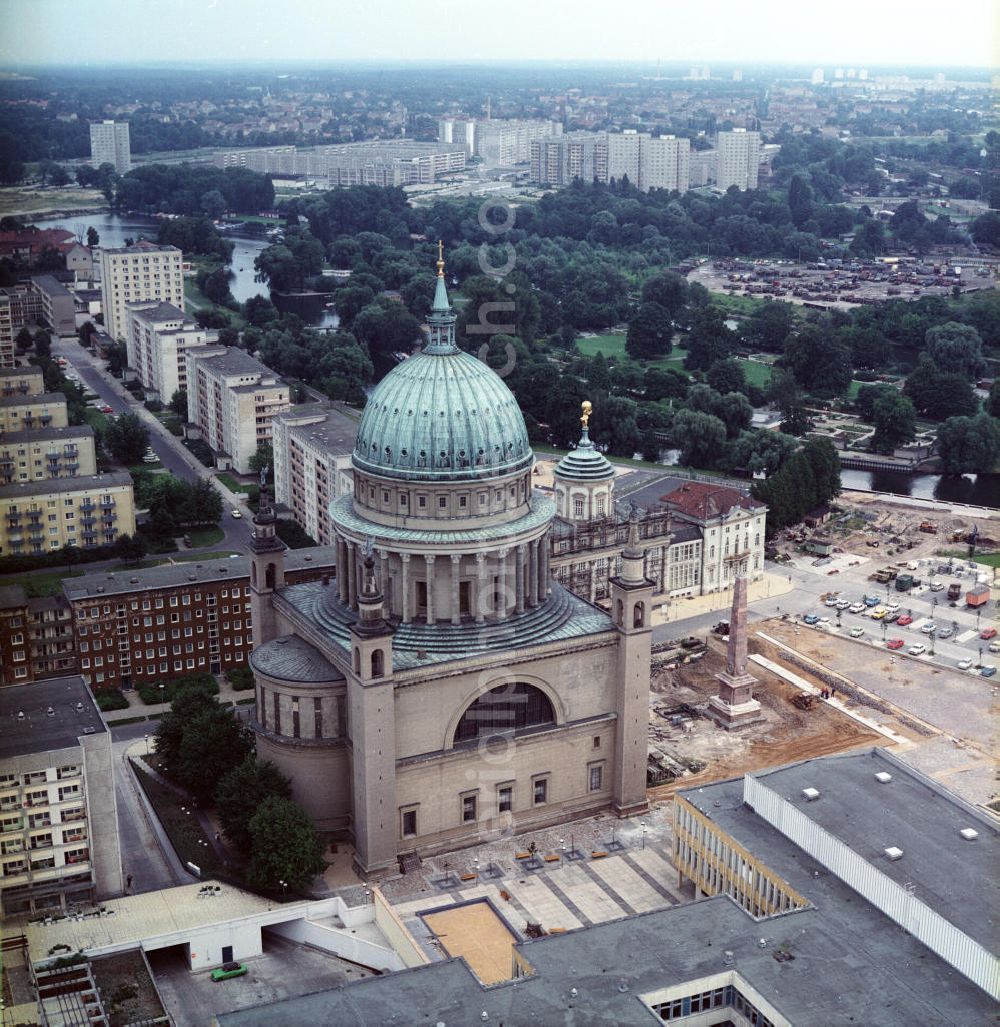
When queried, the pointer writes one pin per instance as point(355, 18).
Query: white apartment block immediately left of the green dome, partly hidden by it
point(313, 465)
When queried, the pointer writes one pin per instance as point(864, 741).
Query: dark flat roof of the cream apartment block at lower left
point(40, 733)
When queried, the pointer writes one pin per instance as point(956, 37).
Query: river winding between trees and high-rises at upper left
point(114, 230)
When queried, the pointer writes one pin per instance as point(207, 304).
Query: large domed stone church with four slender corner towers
point(442, 689)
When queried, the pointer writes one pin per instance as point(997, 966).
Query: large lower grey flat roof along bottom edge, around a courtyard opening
point(858, 970)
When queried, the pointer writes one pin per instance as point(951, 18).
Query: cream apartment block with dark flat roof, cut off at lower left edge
point(59, 820)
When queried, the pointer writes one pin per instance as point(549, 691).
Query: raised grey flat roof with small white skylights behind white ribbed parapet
point(955, 878)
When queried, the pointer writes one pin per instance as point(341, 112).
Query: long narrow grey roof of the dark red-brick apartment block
point(101, 585)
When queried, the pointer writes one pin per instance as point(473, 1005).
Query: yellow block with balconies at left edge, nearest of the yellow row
point(39, 517)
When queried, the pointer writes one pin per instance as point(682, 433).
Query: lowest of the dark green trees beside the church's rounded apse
point(284, 847)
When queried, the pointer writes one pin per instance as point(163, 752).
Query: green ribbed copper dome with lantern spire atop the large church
point(442, 415)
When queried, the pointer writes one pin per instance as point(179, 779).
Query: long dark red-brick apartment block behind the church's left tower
point(134, 628)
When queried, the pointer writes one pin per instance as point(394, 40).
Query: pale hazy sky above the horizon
point(837, 32)
